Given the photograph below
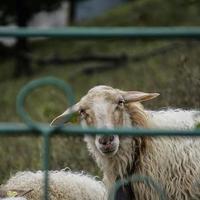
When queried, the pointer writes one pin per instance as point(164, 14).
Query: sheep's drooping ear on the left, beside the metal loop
point(64, 117)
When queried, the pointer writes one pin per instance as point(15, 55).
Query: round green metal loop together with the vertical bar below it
point(46, 131)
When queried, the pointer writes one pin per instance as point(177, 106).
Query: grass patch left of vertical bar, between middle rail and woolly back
point(19, 153)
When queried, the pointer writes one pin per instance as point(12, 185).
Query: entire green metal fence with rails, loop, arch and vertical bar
point(46, 131)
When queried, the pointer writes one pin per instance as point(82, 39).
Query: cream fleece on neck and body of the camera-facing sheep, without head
point(173, 162)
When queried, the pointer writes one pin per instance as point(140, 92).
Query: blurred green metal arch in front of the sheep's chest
point(138, 178)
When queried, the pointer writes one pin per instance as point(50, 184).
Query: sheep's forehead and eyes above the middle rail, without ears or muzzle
point(102, 108)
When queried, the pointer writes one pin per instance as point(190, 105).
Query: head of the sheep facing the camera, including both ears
point(106, 107)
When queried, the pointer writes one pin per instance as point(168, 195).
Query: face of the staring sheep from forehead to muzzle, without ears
point(103, 109)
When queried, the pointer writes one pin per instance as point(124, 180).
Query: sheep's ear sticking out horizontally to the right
point(136, 96)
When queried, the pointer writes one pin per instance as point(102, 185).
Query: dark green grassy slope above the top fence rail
point(152, 13)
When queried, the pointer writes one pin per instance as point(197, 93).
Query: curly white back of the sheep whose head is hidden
point(63, 185)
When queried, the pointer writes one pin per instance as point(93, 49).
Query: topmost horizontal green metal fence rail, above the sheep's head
point(103, 32)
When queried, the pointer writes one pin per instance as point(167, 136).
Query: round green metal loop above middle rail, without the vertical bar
point(27, 89)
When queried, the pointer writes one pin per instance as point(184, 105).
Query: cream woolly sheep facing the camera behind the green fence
point(173, 162)
